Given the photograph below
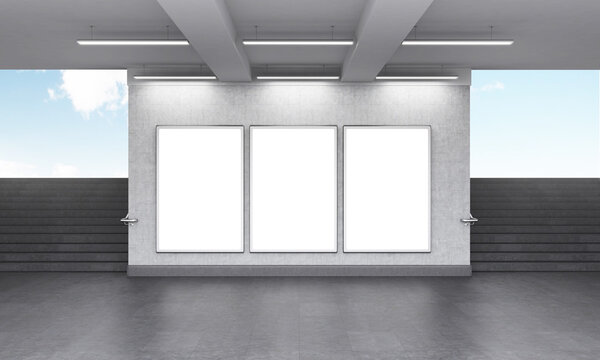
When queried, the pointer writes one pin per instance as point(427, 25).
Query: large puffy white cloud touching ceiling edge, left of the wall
point(93, 90)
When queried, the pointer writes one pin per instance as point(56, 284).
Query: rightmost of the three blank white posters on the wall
point(386, 189)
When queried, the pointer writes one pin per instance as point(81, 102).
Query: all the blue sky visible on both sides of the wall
point(523, 123)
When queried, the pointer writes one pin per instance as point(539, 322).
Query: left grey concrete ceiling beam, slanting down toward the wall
point(208, 27)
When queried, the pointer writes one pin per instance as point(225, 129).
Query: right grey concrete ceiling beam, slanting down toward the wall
point(382, 27)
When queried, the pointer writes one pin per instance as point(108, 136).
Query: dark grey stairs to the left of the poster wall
point(63, 225)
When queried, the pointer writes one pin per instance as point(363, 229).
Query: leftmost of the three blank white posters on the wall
point(200, 188)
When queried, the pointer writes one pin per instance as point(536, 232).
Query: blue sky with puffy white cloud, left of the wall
point(63, 123)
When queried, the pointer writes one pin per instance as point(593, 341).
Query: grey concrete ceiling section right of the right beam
point(548, 34)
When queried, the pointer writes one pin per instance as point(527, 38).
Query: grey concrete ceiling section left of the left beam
point(40, 34)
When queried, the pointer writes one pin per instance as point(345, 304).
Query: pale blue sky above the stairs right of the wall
point(535, 124)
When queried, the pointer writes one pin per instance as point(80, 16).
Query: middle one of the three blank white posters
point(293, 189)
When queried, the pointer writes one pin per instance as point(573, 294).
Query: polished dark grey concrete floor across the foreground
point(488, 316)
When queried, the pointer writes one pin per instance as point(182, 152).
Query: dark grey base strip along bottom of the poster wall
point(298, 270)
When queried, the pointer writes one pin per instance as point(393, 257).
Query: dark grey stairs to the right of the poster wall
point(535, 224)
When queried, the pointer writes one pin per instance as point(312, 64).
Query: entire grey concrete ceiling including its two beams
point(548, 34)
